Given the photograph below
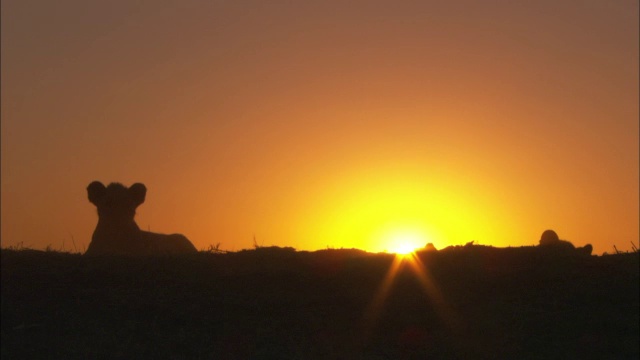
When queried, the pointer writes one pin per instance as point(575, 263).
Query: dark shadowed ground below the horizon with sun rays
point(470, 302)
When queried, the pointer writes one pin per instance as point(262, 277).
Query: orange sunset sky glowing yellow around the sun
point(317, 124)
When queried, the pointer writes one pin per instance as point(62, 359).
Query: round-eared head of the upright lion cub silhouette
point(116, 203)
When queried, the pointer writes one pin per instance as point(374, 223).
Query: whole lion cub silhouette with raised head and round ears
point(118, 234)
